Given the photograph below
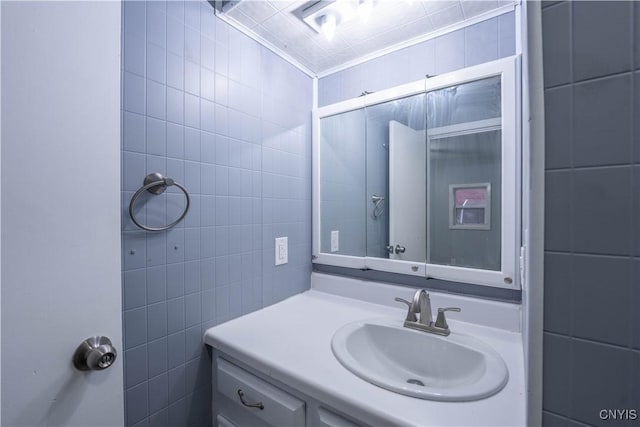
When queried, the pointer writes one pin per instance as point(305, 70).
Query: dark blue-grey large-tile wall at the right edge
point(592, 212)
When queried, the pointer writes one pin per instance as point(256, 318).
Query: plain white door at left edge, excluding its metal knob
point(60, 210)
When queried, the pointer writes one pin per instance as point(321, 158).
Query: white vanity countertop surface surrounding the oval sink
point(291, 342)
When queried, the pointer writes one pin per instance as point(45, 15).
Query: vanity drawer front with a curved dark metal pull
point(273, 405)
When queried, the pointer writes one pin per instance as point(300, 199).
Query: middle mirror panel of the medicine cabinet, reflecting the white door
point(396, 179)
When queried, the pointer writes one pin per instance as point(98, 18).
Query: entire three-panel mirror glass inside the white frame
point(416, 178)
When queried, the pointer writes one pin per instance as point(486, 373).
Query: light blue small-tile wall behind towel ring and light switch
point(230, 120)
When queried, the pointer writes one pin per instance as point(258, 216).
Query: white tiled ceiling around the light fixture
point(392, 22)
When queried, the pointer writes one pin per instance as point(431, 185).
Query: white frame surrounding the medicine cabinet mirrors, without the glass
point(508, 274)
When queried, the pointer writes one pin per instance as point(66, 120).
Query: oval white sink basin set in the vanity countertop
point(419, 364)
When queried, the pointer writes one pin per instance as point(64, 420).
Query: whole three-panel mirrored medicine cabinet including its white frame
point(423, 179)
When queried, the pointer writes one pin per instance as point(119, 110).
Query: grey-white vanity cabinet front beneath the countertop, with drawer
point(242, 397)
